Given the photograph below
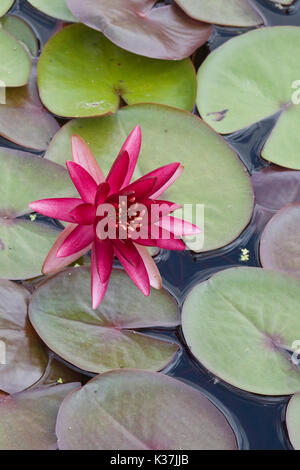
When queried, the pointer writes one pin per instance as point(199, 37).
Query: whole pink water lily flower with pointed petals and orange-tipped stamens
point(110, 217)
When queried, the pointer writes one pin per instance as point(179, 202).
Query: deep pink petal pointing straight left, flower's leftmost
point(56, 208)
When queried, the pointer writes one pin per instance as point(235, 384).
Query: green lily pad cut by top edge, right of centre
point(228, 13)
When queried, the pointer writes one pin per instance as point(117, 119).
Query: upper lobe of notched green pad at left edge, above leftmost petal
point(24, 178)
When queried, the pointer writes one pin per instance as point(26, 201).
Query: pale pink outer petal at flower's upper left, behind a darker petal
point(84, 157)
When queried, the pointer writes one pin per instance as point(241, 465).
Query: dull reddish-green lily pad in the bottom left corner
point(27, 419)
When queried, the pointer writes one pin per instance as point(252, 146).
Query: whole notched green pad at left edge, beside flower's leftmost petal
point(24, 244)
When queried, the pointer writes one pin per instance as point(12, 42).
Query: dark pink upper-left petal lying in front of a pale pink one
point(85, 184)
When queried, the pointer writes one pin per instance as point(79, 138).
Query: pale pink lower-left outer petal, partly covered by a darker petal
point(52, 263)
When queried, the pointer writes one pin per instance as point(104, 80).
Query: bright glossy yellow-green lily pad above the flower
point(81, 73)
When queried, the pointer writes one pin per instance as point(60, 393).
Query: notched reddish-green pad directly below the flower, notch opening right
point(106, 338)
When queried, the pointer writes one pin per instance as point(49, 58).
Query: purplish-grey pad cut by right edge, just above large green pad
point(279, 245)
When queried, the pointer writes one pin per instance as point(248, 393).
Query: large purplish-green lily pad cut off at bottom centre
point(141, 410)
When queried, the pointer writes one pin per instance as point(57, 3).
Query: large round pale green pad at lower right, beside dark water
point(237, 324)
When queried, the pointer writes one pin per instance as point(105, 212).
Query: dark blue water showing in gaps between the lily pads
point(257, 420)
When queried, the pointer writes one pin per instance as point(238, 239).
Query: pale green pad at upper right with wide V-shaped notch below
point(250, 78)
